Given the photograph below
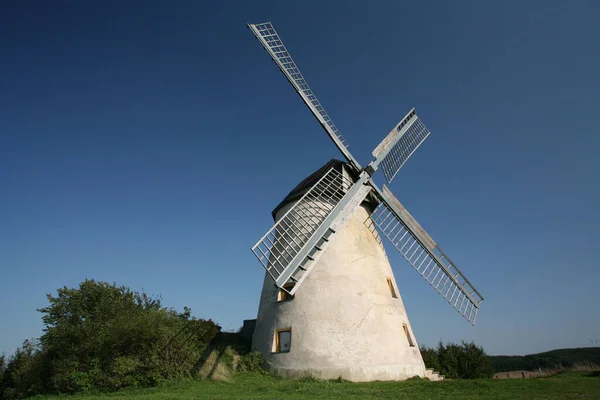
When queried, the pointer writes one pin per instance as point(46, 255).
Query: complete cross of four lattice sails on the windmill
point(292, 246)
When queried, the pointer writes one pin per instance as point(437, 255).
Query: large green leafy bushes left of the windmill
point(104, 337)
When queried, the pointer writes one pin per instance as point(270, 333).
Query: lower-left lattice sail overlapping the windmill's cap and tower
point(283, 250)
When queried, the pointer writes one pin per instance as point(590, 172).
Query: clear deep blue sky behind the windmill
point(146, 143)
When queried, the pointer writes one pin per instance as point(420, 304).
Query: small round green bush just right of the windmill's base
point(458, 361)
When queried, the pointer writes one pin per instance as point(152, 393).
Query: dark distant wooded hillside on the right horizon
point(548, 359)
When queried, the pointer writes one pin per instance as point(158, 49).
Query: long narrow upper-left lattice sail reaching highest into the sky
point(271, 41)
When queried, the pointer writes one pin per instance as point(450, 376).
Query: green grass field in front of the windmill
point(571, 385)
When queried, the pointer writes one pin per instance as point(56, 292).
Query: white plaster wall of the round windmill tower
point(344, 321)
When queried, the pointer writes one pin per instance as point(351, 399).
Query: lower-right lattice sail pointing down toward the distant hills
point(421, 251)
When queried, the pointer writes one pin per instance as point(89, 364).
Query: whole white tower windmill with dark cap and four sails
point(334, 309)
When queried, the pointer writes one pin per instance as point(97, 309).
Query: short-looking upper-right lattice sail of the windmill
point(400, 144)
